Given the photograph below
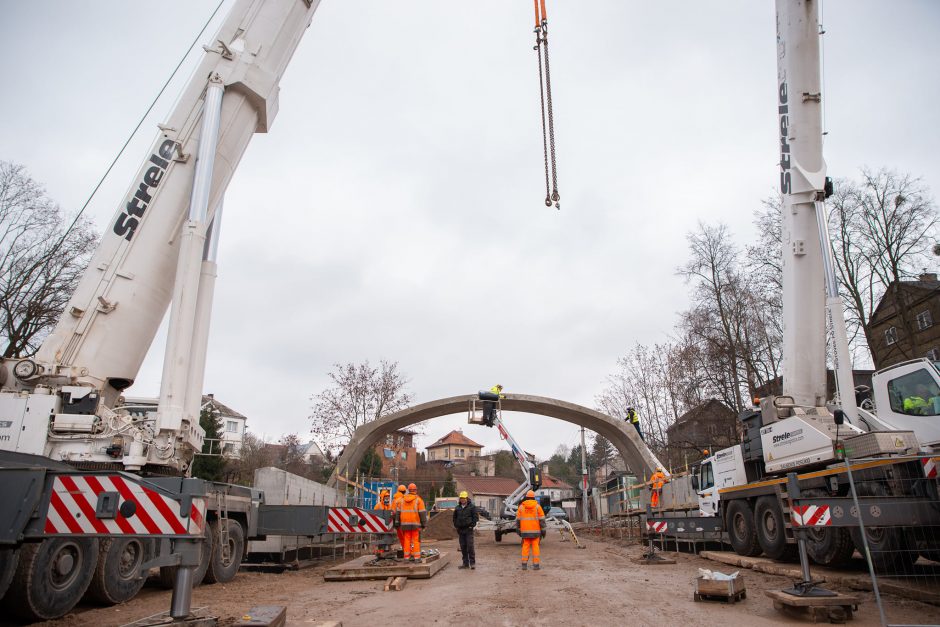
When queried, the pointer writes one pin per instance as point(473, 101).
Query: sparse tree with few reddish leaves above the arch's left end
point(359, 394)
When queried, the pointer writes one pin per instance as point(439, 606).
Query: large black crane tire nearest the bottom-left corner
point(51, 577)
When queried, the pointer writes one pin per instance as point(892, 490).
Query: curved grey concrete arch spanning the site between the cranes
point(621, 434)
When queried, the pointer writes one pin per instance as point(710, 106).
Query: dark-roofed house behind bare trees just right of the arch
point(711, 426)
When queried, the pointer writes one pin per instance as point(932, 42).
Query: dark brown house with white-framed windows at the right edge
point(904, 324)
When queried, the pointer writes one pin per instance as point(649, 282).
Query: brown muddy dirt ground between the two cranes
point(595, 586)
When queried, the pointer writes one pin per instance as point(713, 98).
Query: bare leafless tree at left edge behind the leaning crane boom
point(41, 260)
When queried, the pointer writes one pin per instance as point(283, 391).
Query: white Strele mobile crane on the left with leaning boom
point(95, 492)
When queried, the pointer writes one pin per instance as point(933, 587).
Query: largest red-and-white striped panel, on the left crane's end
point(74, 498)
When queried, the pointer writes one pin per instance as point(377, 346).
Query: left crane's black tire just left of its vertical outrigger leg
point(117, 577)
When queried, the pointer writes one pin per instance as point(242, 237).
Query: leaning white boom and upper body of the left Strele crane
point(108, 325)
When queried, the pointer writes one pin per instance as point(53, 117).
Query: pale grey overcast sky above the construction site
point(395, 209)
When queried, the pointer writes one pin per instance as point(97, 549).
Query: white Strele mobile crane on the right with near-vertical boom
point(793, 446)
